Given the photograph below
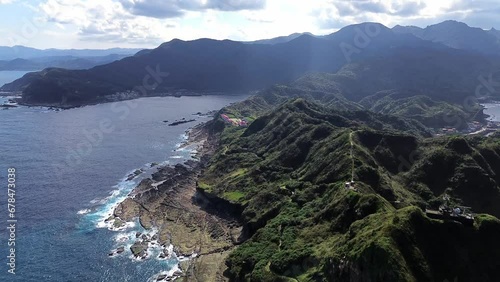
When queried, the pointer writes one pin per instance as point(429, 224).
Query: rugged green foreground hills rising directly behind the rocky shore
point(286, 173)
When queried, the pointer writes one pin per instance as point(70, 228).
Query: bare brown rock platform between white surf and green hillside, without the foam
point(166, 202)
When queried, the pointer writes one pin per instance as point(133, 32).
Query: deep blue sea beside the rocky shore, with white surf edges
point(71, 167)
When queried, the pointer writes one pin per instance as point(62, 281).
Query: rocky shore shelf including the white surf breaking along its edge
point(179, 219)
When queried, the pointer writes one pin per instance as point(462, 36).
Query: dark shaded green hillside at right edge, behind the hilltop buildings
point(468, 169)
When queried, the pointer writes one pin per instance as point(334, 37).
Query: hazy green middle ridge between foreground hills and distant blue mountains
point(329, 90)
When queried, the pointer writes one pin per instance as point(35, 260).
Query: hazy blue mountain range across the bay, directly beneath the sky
point(202, 66)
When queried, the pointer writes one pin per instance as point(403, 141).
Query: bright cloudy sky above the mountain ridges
point(100, 24)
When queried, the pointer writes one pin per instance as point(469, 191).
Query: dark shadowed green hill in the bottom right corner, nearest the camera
point(407, 246)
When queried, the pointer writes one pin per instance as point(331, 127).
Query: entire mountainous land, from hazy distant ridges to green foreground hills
point(337, 173)
